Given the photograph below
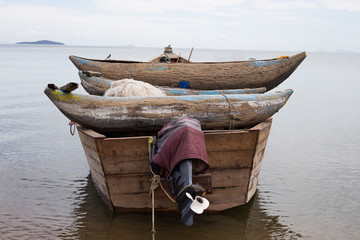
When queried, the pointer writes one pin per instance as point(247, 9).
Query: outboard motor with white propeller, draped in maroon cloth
point(178, 145)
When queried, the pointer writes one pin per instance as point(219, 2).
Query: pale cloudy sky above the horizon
point(291, 25)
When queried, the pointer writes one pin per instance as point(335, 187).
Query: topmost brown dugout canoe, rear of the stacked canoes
point(207, 75)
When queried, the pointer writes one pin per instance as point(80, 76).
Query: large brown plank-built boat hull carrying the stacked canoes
point(120, 168)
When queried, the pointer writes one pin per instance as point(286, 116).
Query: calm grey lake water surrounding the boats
point(309, 183)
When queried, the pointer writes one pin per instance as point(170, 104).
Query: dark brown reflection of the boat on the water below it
point(93, 220)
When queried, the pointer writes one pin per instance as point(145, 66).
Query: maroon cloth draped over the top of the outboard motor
point(179, 140)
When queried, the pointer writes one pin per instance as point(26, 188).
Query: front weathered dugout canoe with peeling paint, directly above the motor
point(108, 114)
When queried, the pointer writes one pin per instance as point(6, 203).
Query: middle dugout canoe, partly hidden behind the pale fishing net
point(97, 85)
